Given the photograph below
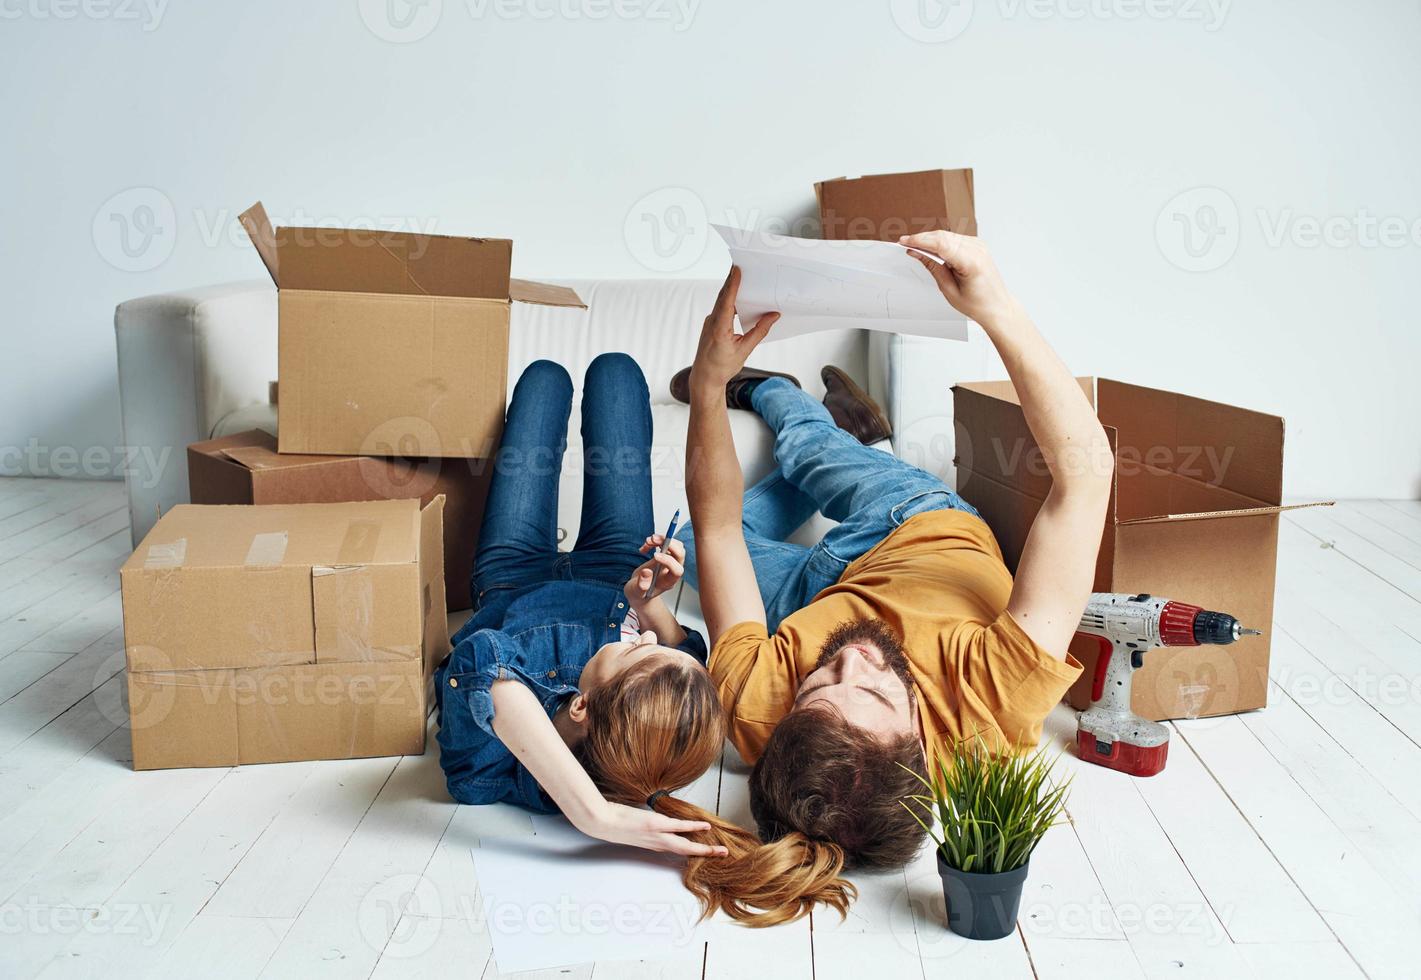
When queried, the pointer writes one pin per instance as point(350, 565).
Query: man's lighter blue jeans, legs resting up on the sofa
point(822, 468)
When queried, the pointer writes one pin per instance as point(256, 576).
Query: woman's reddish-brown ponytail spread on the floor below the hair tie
point(761, 884)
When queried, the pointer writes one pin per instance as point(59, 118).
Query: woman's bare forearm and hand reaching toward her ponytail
point(528, 732)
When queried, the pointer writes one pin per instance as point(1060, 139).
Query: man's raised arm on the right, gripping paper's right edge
point(1058, 566)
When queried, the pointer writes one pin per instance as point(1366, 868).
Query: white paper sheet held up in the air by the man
point(819, 285)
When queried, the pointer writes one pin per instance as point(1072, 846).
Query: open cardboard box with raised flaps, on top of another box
point(393, 344)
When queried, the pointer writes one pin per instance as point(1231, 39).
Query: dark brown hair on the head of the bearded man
point(829, 780)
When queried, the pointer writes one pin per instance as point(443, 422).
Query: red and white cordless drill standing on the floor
point(1109, 732)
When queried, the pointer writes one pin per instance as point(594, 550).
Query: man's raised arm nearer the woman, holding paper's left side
point(715, 485)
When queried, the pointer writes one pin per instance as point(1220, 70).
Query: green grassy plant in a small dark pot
point(991, 812)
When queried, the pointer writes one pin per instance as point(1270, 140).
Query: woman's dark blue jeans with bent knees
point(518, 545)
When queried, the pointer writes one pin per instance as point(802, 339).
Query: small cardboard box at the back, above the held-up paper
point(887, 207)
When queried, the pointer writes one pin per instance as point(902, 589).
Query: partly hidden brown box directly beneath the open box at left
point(247, 469)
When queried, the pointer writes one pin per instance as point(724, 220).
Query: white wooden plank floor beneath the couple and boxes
point(1281, 843)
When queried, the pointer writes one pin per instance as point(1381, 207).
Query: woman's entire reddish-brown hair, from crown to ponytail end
point(659, 729)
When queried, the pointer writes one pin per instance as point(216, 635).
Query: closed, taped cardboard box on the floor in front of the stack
point(283, 633)
